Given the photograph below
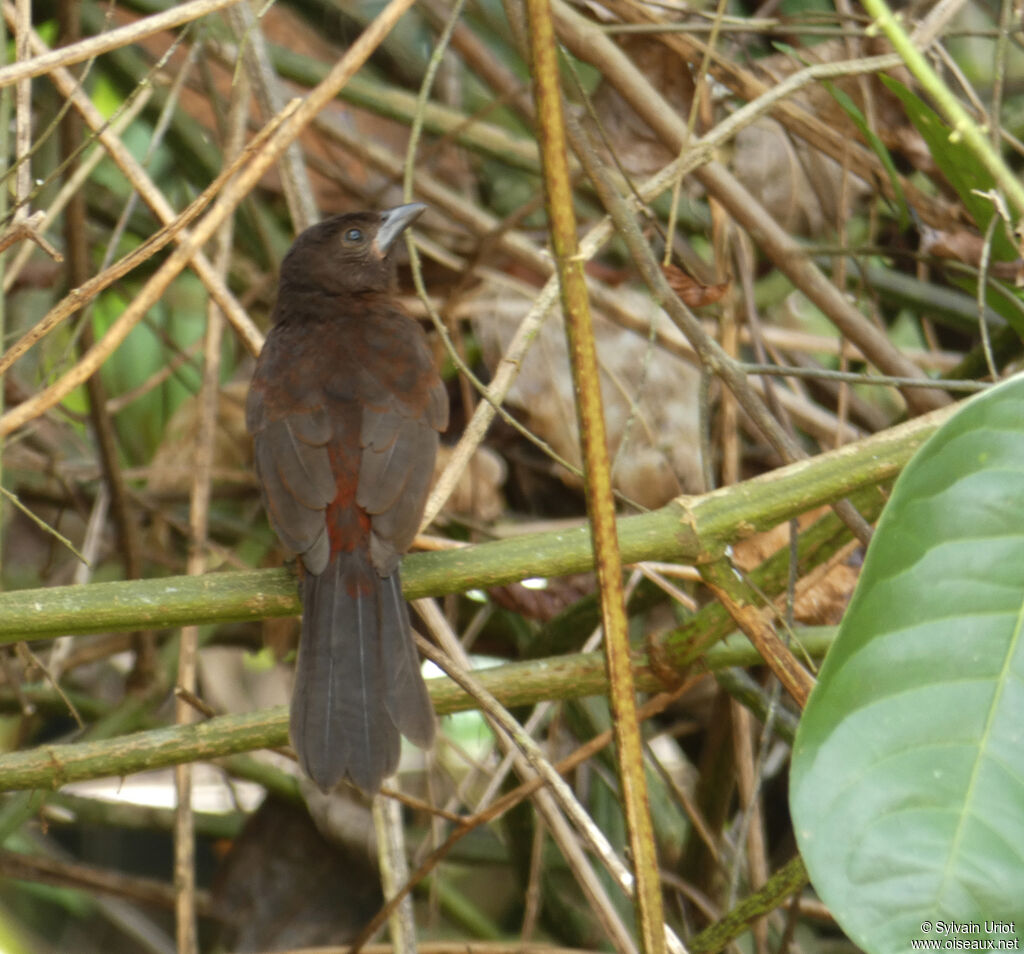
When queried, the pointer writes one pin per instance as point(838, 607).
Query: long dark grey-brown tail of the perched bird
point(358, 684)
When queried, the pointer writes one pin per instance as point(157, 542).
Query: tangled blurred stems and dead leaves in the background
point(111, 472)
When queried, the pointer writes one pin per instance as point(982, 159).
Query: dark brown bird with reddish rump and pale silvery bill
point(346, 410)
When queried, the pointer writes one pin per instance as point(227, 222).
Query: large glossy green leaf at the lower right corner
point(908, 780)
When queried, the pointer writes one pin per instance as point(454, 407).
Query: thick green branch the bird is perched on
point(689, 530)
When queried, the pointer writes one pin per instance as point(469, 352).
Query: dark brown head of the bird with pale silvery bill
point(349, 254)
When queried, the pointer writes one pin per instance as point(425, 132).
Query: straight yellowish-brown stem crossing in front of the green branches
point(601, 503)
